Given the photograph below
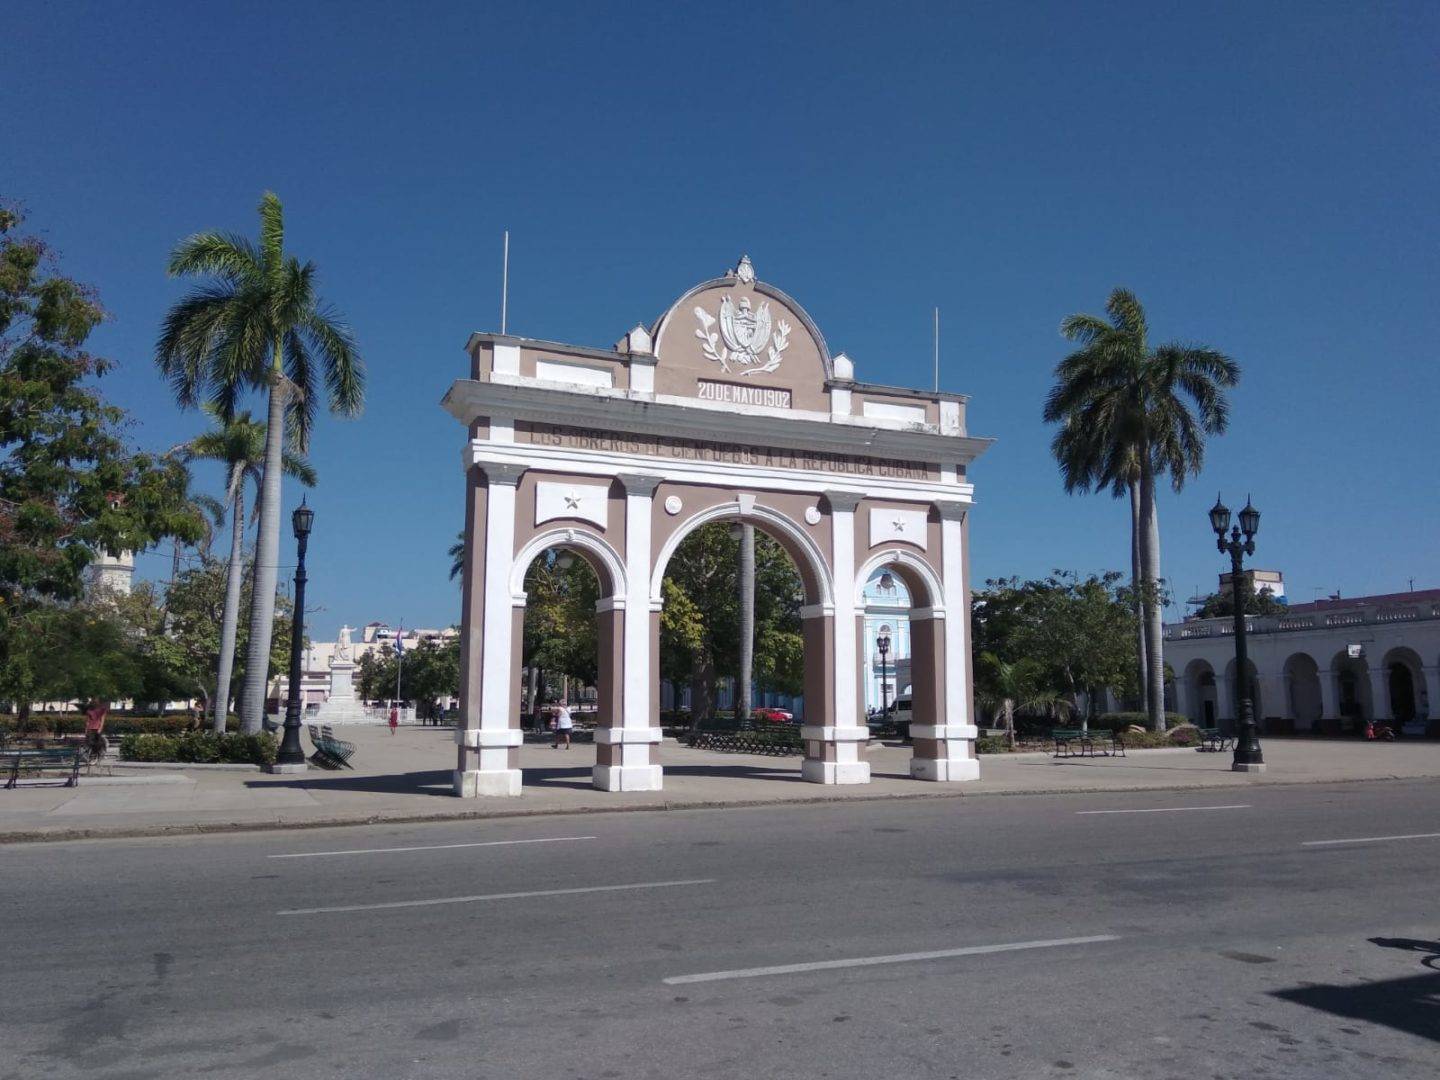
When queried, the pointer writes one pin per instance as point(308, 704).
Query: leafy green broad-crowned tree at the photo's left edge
point(70, 485)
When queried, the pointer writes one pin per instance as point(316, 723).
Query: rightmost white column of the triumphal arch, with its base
point(945, 751)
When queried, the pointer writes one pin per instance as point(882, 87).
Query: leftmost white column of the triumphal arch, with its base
point(490, 739)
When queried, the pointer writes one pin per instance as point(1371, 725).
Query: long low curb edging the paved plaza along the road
point(220, 829)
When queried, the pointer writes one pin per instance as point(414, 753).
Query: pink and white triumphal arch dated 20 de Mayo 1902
point(729, 408)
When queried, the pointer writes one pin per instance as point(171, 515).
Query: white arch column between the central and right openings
point(840, 739)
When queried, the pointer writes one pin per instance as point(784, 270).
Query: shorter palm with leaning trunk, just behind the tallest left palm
point(240, 446)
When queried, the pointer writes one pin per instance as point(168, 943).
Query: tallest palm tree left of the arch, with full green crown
point(256, 323)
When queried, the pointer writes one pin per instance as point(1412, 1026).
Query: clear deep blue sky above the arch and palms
point(1265, 176)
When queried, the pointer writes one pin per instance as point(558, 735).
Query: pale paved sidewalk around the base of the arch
point(408, 778)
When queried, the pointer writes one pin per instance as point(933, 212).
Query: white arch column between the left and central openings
point(624, 755)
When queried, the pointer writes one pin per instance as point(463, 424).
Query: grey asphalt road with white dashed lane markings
point(951, 938)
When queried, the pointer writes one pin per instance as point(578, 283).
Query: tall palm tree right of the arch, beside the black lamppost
point(1130, 414)
